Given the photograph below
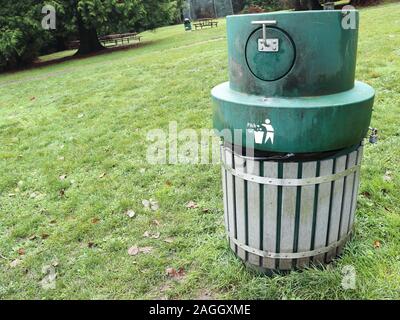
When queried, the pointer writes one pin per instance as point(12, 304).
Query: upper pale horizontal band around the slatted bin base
point(291, 182)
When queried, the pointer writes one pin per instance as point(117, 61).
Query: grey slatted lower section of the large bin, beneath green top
point(283, 215)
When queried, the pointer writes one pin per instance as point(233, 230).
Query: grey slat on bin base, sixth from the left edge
point(306, 213)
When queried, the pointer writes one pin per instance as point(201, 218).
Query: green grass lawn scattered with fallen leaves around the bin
point(73, 161)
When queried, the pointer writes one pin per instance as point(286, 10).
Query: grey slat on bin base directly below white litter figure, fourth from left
point(270, 213)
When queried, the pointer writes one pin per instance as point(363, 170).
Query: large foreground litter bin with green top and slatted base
point(292, 120)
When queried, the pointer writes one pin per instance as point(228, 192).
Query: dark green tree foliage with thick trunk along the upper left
point(22, 36)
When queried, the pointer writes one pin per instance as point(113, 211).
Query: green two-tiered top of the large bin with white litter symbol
point(307, 89)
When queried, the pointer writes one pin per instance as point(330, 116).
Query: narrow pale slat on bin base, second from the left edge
point(240, 206)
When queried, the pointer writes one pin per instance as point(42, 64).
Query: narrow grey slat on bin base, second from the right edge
point(347, 198)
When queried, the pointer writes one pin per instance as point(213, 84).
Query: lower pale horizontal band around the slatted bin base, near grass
point(292, 255)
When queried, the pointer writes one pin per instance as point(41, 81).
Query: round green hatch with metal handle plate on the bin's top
point(273, 62)
